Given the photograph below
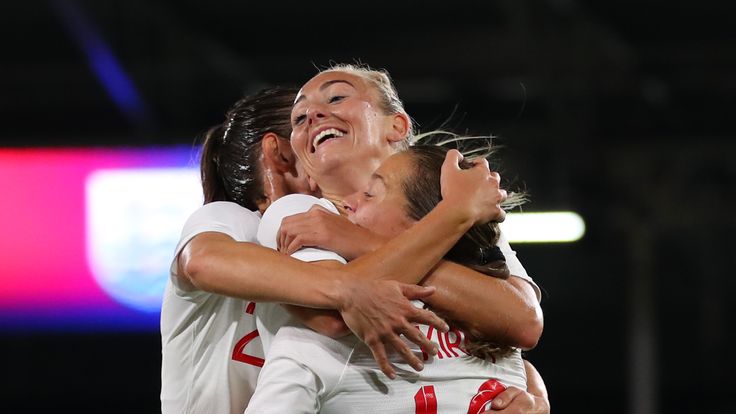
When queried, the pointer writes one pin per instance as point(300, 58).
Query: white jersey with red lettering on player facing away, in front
point(306, 372)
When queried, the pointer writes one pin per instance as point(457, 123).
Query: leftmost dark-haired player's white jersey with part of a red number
point(211, 353)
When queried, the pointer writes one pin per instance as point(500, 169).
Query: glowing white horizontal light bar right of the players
point(550, 227)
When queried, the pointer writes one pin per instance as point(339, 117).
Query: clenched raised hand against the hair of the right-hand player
point(474, 191)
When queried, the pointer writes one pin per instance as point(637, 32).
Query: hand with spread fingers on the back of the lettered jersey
point(379, 311)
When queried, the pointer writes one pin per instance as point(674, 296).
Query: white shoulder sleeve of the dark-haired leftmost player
point(220, 216)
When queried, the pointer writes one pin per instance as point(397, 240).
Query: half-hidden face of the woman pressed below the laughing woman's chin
point(381, 206)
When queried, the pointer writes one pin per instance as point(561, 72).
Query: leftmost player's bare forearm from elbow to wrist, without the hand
point(216, 263)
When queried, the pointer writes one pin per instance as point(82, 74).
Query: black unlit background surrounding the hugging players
point(619, 110)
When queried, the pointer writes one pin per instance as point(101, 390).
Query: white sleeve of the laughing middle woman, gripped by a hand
point(287, 206)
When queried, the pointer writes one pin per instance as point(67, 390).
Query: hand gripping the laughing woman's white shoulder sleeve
point(322, 228)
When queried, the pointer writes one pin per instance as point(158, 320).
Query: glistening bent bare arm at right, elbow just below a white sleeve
point(502, 311)
